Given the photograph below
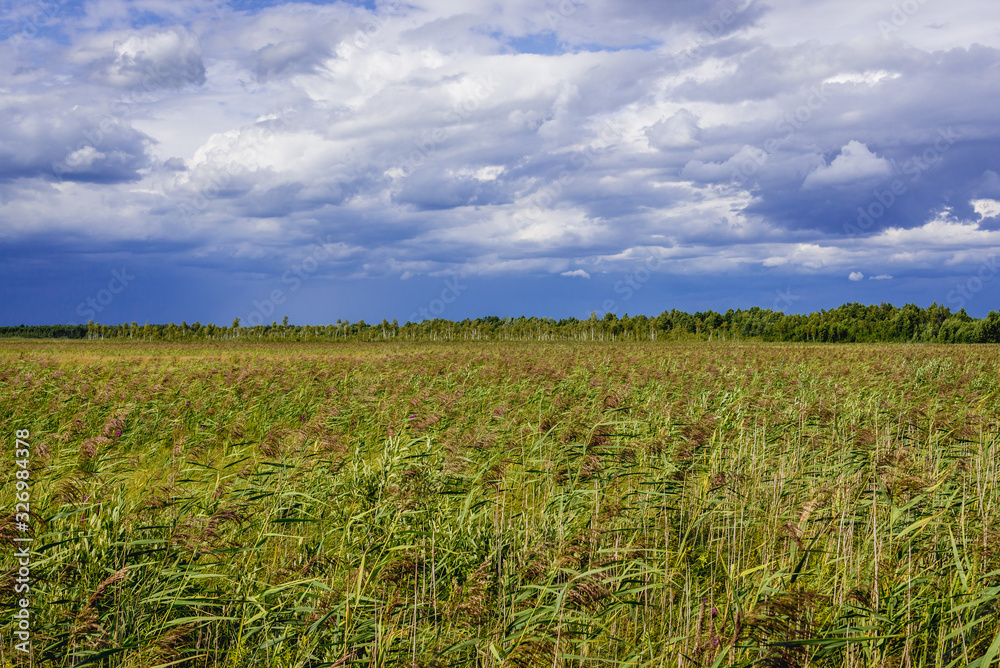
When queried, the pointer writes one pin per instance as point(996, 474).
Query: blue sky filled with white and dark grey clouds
point(205, 160)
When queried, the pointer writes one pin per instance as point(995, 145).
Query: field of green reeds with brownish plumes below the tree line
point(505, 504)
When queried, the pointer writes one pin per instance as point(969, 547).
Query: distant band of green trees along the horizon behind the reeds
point(850, 323)
